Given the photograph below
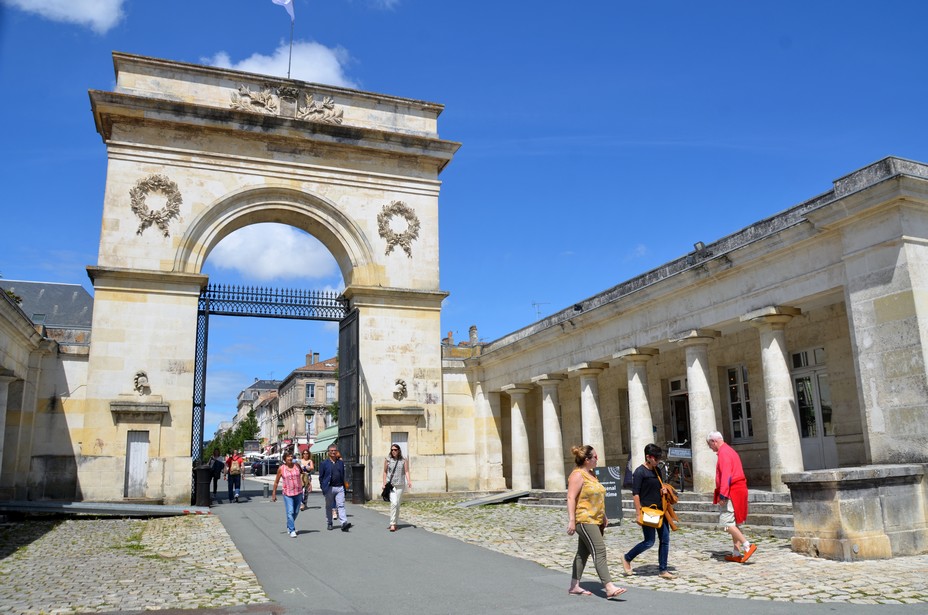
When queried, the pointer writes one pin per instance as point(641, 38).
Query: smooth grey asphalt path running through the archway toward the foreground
point(371, 570)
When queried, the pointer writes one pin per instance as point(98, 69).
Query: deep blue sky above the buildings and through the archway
point(600, 139)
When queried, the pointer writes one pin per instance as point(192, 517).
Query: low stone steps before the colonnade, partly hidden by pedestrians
point(771, 514)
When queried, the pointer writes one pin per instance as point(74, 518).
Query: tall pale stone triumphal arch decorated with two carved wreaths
point(195, 153)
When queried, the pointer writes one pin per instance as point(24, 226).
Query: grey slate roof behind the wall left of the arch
point(63, 305)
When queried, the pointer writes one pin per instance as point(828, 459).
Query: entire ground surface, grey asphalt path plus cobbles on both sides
point(443, 559)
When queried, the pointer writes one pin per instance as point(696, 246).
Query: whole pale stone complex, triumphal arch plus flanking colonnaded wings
point(802, 338)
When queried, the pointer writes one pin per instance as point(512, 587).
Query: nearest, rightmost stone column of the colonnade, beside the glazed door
point(782, 431)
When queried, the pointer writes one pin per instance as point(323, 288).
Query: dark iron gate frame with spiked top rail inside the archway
point(224, 300)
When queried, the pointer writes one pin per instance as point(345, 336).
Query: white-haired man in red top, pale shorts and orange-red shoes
point(731, 494)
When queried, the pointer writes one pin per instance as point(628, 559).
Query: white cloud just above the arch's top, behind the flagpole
point(311, 62)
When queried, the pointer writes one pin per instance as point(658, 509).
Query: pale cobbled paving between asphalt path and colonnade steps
point(696, 557)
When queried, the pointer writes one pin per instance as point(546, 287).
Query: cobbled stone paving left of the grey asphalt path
point(93, 565)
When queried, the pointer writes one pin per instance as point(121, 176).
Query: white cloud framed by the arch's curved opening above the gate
point(265, 252)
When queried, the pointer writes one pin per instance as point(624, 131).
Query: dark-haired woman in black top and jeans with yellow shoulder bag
point(648, 489)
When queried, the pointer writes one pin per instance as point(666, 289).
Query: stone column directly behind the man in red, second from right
point(702, 407)
